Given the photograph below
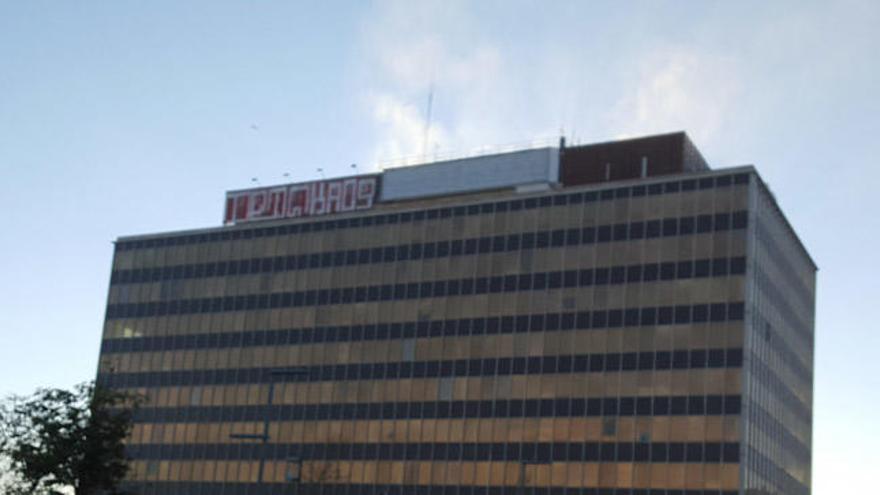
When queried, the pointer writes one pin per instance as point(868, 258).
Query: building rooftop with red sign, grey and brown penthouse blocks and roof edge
point(478, 179)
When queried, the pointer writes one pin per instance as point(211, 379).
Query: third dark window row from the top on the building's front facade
point(651, 272)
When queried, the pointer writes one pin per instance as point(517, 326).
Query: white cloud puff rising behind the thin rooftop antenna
point(413, 50)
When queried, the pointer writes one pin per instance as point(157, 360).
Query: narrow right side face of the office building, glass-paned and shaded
point(777, 419)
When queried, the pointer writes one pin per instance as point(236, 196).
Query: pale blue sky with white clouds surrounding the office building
point(129, 117)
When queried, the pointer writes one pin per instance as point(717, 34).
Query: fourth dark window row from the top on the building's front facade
point(539, 322)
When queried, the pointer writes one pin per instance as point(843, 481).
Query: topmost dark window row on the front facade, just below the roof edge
point(556, 199)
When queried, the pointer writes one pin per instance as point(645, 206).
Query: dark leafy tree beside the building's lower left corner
point(57, 441)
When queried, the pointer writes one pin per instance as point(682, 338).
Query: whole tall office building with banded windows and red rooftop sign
point(615, 318)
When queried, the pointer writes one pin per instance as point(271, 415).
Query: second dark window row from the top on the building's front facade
point(441, 249)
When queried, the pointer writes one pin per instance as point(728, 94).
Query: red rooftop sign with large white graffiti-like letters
point(301, 200)
